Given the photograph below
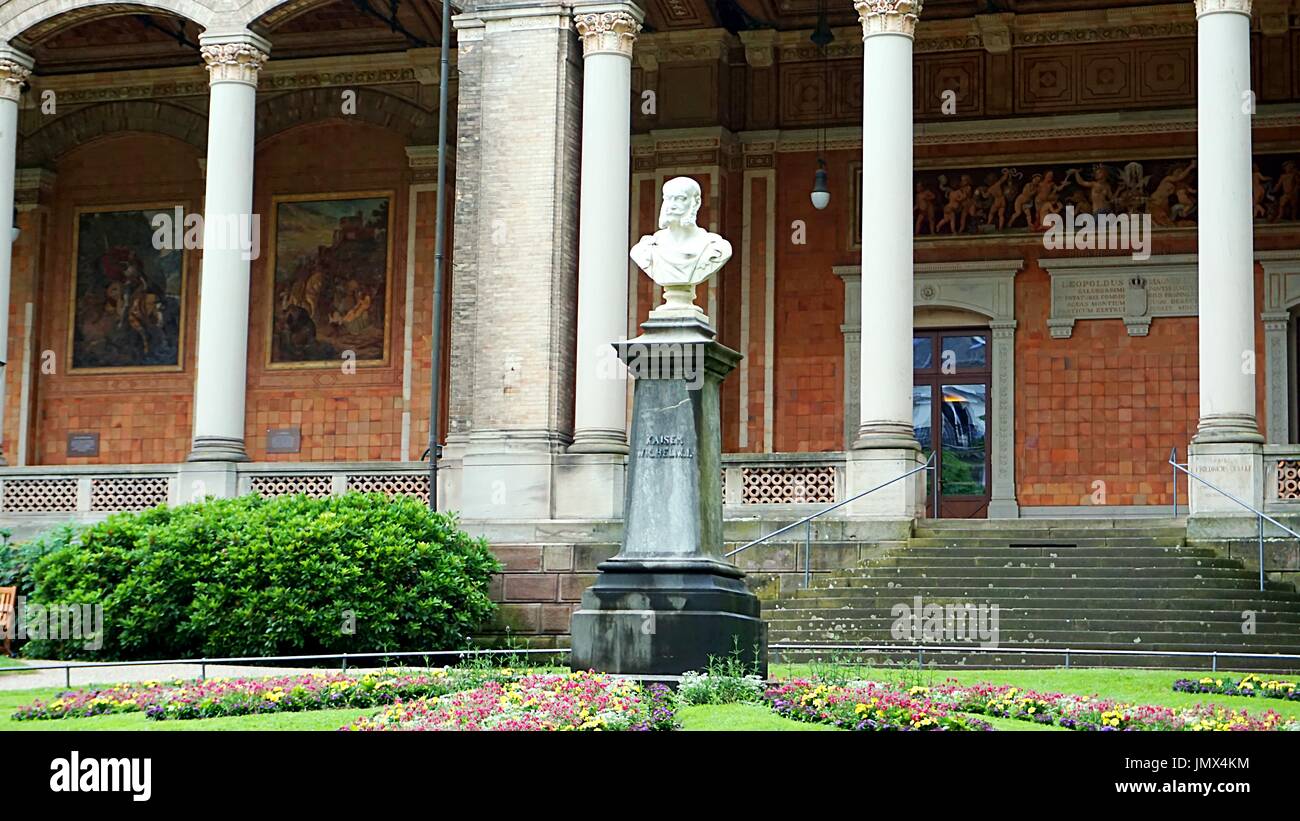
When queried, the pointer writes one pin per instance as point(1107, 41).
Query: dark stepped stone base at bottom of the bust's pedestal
point(666, 619)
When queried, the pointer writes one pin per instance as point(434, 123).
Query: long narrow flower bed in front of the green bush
point(218, 698)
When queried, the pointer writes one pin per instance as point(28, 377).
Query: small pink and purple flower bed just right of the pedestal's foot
point(866, 707)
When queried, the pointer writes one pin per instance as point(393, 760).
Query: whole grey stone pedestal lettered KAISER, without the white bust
point(669, 601)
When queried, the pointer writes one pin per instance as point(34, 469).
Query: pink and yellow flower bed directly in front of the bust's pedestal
point(538, 702)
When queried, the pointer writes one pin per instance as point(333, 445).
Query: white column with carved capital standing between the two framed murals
point(219, 398)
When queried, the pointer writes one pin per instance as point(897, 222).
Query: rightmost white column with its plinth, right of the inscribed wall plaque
point(1227, 449)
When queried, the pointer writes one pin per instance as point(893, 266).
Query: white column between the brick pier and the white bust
point(600, 411)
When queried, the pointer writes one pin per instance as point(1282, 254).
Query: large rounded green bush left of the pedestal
point(261, 577)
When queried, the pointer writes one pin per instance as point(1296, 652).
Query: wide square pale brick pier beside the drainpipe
point(522, 215)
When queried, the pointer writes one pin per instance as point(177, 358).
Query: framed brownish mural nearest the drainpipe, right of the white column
point(332, 264)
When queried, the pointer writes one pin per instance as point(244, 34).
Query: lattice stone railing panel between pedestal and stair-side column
point(783, 479)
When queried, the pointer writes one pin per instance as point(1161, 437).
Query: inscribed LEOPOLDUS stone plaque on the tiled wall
point(1119, 290)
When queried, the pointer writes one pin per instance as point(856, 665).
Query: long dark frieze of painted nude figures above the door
point(1020, 199)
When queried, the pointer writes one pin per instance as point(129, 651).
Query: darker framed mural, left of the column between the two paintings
point(128, 296)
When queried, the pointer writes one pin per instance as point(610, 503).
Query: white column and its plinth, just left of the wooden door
point(886, 446)
